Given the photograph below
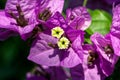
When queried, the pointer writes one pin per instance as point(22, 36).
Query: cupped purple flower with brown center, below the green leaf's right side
point(108, 58)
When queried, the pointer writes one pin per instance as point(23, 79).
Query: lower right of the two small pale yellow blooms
point(63, 43)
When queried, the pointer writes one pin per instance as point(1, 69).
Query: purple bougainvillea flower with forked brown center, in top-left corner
point(18, 16)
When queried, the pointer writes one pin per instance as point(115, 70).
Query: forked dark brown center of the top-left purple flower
point(21, 21)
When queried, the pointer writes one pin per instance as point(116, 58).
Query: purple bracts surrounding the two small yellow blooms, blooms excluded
point(45, 52)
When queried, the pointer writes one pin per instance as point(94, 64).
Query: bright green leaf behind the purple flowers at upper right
point(101, 22)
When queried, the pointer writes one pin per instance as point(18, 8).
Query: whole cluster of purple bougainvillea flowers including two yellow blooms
point(58, 41)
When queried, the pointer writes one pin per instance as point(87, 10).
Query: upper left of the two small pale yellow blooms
point(57, 32)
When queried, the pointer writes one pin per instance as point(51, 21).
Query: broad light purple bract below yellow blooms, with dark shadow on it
point(41, 53)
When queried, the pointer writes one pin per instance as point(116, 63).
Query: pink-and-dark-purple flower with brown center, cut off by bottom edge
point(90, 68)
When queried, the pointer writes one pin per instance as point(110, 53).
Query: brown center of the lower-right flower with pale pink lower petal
point(91, 58)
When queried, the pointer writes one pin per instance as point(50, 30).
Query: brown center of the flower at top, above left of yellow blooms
point(45, 15)
